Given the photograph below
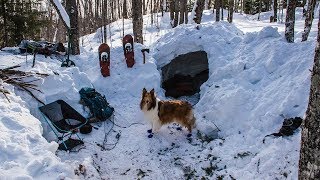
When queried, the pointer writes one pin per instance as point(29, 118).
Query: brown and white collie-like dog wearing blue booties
point(159, 112)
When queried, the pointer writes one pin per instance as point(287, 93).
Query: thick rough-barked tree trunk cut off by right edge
point(309, 163)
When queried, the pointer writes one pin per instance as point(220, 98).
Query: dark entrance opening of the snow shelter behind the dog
point(184, 75)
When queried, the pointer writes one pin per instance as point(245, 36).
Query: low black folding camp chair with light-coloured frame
point(63, 119)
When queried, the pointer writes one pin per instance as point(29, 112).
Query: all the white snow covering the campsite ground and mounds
point(255, 79)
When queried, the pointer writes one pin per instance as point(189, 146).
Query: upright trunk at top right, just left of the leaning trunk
point(290, 19)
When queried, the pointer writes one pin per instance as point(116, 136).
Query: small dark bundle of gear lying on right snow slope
point(289, 125)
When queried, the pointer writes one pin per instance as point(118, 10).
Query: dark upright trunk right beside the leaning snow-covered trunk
point(72, 11)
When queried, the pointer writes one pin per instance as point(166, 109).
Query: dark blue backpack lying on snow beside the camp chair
point(98, 105)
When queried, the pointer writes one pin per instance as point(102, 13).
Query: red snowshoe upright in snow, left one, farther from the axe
point(104, 59)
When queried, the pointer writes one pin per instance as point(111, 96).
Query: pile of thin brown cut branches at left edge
point(17, 78)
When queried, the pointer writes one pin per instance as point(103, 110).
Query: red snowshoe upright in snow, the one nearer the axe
point(127, 43)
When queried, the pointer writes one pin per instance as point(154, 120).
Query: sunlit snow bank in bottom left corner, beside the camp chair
point(25, 154)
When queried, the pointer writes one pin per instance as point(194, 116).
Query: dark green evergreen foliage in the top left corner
point(20, 19)
